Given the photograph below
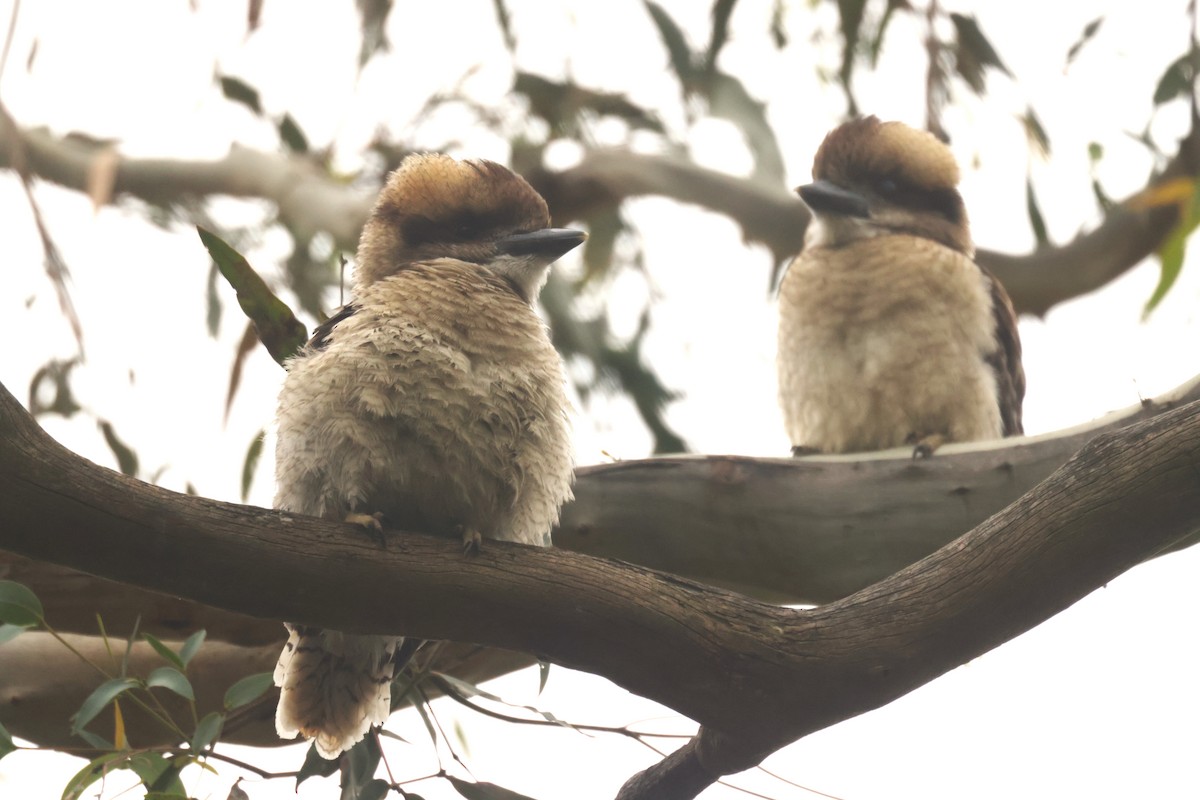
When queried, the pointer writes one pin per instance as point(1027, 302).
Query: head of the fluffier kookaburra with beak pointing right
point(435, 207)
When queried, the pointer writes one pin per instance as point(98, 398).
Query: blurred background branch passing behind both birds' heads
point(309, 202)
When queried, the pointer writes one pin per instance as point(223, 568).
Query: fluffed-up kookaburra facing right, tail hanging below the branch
point(434, 400)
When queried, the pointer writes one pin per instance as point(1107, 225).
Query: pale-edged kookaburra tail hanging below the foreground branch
point(334, 687)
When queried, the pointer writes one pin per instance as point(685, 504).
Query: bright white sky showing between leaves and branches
point(1100, 702)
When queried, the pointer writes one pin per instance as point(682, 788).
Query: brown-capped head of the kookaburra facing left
point(874, 179)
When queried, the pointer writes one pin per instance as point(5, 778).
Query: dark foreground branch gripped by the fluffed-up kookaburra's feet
point(757, 677)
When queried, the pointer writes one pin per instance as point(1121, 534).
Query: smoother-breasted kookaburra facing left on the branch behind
point(890, 334)
